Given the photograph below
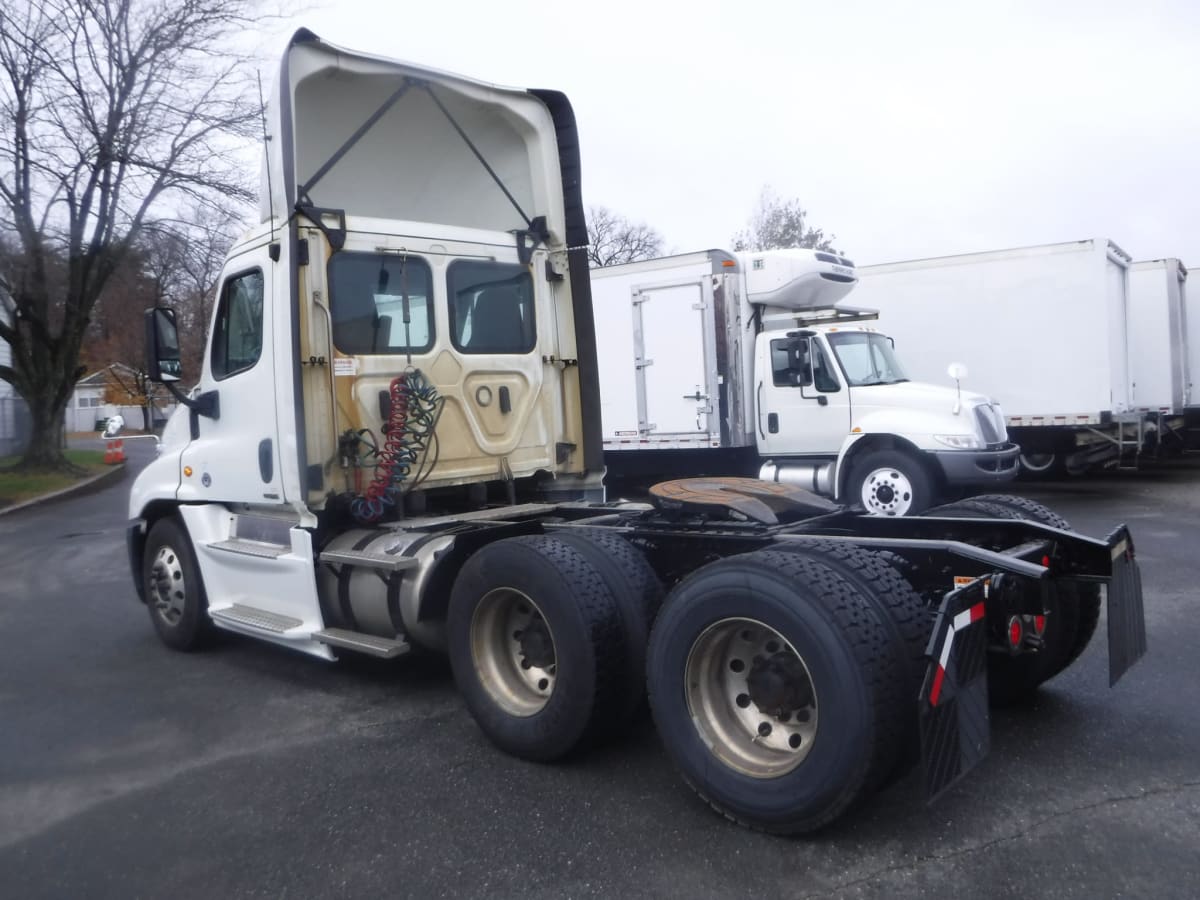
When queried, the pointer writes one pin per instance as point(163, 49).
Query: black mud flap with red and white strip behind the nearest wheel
point(956, 733)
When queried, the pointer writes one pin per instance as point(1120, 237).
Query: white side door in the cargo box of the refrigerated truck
point(675, 357)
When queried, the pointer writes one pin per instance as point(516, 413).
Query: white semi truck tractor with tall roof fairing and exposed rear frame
point(394, 442)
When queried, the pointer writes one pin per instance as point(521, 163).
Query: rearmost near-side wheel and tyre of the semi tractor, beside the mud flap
point(777, 689)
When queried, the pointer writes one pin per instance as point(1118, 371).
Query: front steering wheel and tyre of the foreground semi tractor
point(175, 591)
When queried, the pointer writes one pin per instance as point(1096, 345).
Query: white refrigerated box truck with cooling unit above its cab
point(725, 363)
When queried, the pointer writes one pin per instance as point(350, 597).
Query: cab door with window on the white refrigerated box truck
point(803, 405)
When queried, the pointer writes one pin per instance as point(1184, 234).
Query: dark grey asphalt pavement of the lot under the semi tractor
point(128, 770)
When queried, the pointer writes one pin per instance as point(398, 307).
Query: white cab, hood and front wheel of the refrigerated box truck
point(837, 413)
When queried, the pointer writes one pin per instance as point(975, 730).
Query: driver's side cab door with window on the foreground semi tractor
point(236, 457)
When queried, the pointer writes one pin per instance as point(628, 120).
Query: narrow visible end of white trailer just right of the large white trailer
point(1159, 346)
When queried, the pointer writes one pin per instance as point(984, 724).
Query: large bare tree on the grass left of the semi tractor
point(111, 111)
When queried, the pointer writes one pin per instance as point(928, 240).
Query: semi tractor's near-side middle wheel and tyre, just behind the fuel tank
point(537, 646)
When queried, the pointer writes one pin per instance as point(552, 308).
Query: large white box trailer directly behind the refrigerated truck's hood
point(1043, 329)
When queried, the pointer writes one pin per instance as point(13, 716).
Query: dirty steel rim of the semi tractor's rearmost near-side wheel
point(721, 680)
